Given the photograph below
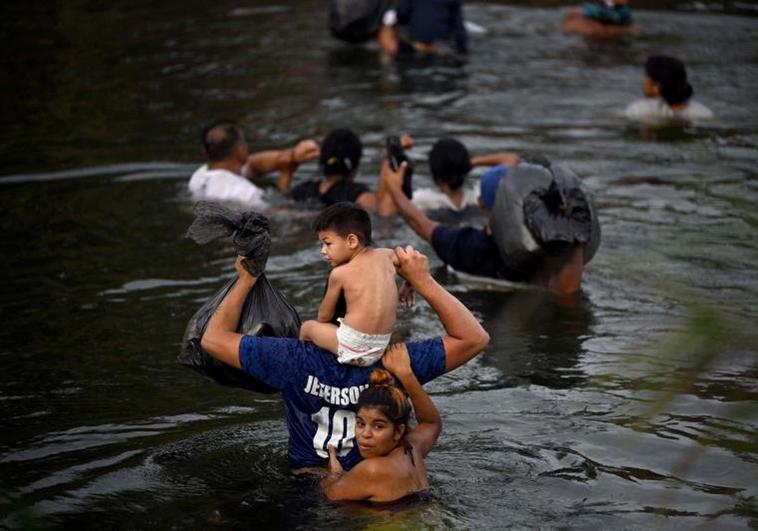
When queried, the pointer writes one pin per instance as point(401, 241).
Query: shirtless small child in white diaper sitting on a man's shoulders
point(367, 278)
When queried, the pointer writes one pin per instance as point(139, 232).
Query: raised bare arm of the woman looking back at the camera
point(425, 434)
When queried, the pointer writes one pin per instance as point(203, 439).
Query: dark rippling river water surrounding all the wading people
point(633, 405)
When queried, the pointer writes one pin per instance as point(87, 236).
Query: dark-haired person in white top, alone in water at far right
point(668, 93)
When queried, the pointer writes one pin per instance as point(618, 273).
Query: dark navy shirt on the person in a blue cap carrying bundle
point(472, 251)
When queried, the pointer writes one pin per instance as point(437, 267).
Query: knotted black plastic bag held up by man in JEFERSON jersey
point(265, 312)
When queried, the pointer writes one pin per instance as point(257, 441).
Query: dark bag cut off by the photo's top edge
point(356, 21)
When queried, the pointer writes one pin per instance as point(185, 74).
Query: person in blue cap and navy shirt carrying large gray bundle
point(542, 227)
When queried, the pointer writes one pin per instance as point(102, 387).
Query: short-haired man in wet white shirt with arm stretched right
point(231, 169)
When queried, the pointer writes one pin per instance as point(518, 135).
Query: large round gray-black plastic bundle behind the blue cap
point(540, 210)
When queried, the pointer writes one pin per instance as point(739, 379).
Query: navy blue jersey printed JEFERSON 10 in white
point(321, 395)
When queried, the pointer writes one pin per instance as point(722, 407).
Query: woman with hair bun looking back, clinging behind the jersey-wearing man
point(393, 452)
